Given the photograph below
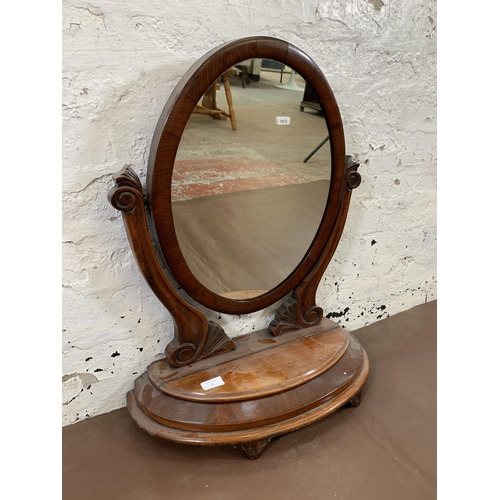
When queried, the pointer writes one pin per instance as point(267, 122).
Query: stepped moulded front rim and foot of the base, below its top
point(249, 424)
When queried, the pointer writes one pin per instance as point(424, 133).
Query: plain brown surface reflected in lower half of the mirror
point(244, 243)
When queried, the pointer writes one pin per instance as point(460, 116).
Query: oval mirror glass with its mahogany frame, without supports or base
point(240, 217)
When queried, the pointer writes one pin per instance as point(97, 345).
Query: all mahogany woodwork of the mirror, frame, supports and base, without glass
point(270, 382)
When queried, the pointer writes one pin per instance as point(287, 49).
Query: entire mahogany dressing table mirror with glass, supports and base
point(231, 214)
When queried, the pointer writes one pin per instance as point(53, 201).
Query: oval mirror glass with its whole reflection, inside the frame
point(245, 206)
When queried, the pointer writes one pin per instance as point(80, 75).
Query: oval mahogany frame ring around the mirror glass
point(167, 137)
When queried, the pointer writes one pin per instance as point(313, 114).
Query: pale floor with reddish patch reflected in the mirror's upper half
point(214, 159)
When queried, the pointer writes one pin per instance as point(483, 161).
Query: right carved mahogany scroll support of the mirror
point(300, 310)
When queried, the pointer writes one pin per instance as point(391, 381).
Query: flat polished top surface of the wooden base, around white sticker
point(259, 366)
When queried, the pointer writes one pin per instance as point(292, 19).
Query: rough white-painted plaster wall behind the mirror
point(121, 60)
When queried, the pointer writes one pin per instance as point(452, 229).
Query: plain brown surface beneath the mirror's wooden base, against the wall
point(384, 449)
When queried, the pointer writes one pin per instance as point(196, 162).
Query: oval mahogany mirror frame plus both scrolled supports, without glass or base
point(150, 226)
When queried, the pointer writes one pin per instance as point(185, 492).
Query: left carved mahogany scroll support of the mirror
point(195, 338)
